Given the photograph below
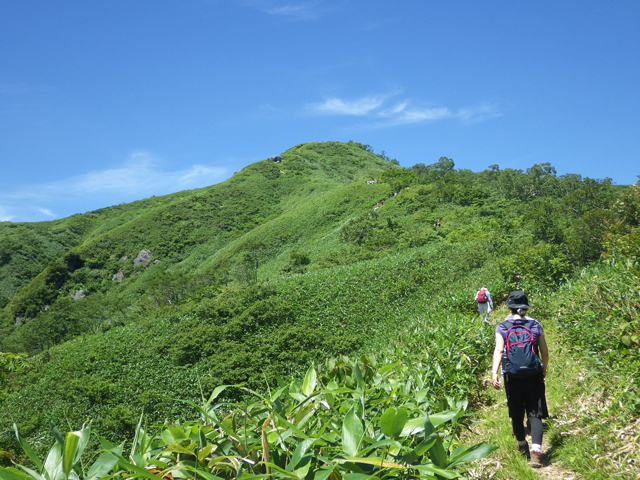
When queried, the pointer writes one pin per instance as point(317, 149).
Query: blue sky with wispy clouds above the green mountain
point(108, 102)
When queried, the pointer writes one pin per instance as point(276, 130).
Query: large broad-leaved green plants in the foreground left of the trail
point(353, 420)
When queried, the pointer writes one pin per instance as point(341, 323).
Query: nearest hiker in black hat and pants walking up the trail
point(521, 349)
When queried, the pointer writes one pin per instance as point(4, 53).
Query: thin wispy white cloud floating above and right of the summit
point(382, 112)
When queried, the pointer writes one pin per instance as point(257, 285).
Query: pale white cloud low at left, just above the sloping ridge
point(139, 177)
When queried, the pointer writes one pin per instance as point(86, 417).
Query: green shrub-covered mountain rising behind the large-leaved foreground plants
point(145, 306)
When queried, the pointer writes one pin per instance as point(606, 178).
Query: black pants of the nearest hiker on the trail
point(526, 395)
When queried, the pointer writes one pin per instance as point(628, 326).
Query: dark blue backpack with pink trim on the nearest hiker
point(520, 357)
